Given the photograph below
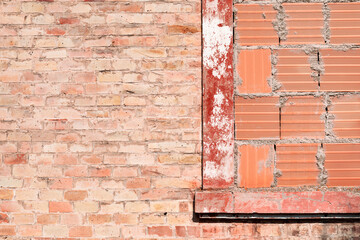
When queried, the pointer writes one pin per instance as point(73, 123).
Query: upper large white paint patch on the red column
point(217, 40)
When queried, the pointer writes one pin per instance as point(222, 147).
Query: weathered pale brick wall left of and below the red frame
point(100, 124)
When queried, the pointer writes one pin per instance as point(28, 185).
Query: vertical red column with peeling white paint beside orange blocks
point(218, 125)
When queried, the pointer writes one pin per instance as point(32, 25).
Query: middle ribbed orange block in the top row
point(304, 23)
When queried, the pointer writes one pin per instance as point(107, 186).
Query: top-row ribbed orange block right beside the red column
point(254, 25)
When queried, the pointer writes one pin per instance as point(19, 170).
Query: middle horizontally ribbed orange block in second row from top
point(294, 71)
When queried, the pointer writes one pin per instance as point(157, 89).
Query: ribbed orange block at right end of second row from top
point(341, 72)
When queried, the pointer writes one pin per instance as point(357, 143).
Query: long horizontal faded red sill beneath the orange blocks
point(296, 203)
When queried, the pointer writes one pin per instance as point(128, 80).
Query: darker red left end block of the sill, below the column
point(213, 202)
